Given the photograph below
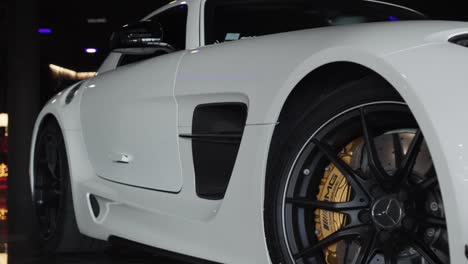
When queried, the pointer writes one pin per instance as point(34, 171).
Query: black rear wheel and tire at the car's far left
point(55, 226)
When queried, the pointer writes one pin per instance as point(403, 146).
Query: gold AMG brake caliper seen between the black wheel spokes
point(333, 188)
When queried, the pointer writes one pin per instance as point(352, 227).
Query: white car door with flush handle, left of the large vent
point(114, 104)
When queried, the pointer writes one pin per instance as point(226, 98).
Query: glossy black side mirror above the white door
point(141, 38)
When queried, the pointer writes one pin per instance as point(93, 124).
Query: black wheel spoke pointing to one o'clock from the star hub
point(408, 162)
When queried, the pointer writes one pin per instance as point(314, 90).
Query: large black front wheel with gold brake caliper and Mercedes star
point(355, 183)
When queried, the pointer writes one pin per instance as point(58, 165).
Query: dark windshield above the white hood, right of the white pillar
point(230, 20)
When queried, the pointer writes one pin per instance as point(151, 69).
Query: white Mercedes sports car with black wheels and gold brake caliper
point(268, 131)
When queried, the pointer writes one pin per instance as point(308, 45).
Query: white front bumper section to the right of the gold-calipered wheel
point(433, 80)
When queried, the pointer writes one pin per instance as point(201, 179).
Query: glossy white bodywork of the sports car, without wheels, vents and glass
point(414, 57)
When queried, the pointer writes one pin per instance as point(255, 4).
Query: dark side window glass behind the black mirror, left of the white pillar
point(173, 22)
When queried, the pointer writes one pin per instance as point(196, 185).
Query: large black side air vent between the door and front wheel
point(217, 131)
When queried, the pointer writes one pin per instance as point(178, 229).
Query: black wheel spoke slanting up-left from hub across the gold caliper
point(353, 178)
